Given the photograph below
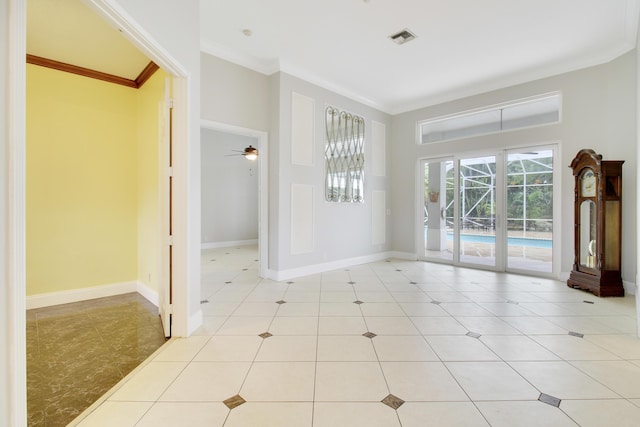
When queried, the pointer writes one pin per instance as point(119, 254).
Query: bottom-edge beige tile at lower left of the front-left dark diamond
point(185, 414)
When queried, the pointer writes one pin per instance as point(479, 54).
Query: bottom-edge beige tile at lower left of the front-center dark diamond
point(354, 414)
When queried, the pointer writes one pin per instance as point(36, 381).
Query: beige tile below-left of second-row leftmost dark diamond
point(224, 348)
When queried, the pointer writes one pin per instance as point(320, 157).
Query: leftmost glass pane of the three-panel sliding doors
point(438, 210)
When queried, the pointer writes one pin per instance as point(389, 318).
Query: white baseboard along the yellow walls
point(84, 294)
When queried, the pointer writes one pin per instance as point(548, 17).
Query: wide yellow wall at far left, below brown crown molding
point(81, 182)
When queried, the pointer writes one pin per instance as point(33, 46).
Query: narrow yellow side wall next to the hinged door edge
point(149, 100)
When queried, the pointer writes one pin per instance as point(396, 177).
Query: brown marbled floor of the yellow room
point(76, 352)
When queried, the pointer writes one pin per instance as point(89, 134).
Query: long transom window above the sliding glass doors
point(536, 111)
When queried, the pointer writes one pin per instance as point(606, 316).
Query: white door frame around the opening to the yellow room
point(16, 276)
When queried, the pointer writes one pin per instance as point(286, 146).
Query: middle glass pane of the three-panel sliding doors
point(477, 218)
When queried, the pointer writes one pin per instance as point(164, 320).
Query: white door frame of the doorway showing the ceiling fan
point(263, 186)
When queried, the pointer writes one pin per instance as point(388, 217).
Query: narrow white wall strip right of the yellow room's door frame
point(175, 27)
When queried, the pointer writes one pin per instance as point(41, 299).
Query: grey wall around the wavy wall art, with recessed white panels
point(341, 231)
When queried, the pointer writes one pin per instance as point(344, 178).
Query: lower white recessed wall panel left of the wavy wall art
point(301, 219)
